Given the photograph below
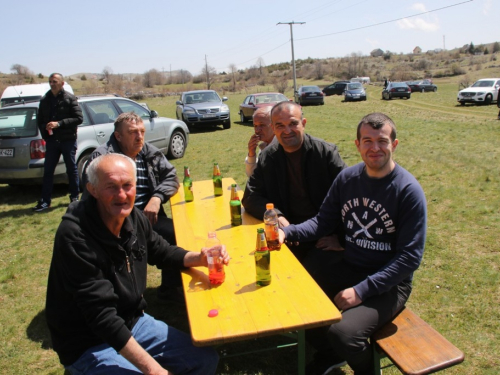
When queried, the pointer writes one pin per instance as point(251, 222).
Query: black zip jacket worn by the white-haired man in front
point(93, 297)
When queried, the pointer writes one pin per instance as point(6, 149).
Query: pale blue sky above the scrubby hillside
point(134, 36)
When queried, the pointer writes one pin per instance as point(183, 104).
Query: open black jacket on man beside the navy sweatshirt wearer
point(321, 163)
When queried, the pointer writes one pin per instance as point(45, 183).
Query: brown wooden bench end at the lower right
point(413, 346)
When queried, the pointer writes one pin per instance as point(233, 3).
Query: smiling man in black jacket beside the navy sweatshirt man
point(294, 172)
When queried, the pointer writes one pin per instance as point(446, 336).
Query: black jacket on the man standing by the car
point(67, 113)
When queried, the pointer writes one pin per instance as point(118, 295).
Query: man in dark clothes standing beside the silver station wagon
point(58, 118)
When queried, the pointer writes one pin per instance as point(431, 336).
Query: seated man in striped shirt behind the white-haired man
point(156, 182)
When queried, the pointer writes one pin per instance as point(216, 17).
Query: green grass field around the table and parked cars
point(454, 153)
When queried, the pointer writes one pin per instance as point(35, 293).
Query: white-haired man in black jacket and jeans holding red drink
point(97, 279)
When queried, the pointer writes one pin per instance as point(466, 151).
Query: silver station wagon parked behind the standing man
point(22, 150)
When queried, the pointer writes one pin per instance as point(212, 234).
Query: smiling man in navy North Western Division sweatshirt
point(382, 209)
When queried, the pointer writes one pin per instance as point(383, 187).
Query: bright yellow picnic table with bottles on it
point(292, 302)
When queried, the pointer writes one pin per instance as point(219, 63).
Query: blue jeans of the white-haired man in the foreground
point(171, 348)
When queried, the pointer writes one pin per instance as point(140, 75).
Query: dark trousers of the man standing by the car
point(53, 151)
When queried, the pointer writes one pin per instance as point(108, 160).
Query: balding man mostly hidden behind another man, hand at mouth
point(263, 135)
